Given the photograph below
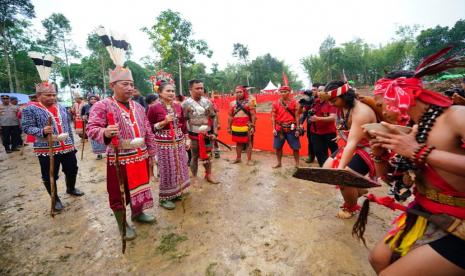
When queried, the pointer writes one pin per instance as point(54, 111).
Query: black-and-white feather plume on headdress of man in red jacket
point(115, 44)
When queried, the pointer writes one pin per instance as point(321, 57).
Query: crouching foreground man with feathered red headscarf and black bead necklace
point(435, 155)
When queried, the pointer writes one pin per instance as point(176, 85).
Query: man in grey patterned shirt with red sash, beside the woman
point(202, 128)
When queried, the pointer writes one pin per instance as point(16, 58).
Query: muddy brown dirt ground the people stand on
point(258, 221)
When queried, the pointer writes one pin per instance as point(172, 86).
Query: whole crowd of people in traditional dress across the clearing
point(176, 133)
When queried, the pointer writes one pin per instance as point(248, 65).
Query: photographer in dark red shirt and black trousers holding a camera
point(321, 127)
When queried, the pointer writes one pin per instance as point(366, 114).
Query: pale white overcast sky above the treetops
point(289, 30)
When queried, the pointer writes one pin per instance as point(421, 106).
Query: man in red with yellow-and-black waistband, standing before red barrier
point(241, 123)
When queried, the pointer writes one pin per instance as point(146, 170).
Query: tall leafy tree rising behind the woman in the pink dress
point(171, 37)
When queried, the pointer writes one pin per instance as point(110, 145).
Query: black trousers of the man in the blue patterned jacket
point(68, 162)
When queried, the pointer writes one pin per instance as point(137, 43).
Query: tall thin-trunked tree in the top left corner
point(10, 11)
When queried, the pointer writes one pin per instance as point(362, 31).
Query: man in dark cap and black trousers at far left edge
point(9, 124)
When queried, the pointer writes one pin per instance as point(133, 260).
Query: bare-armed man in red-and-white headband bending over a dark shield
point(354, 150)
